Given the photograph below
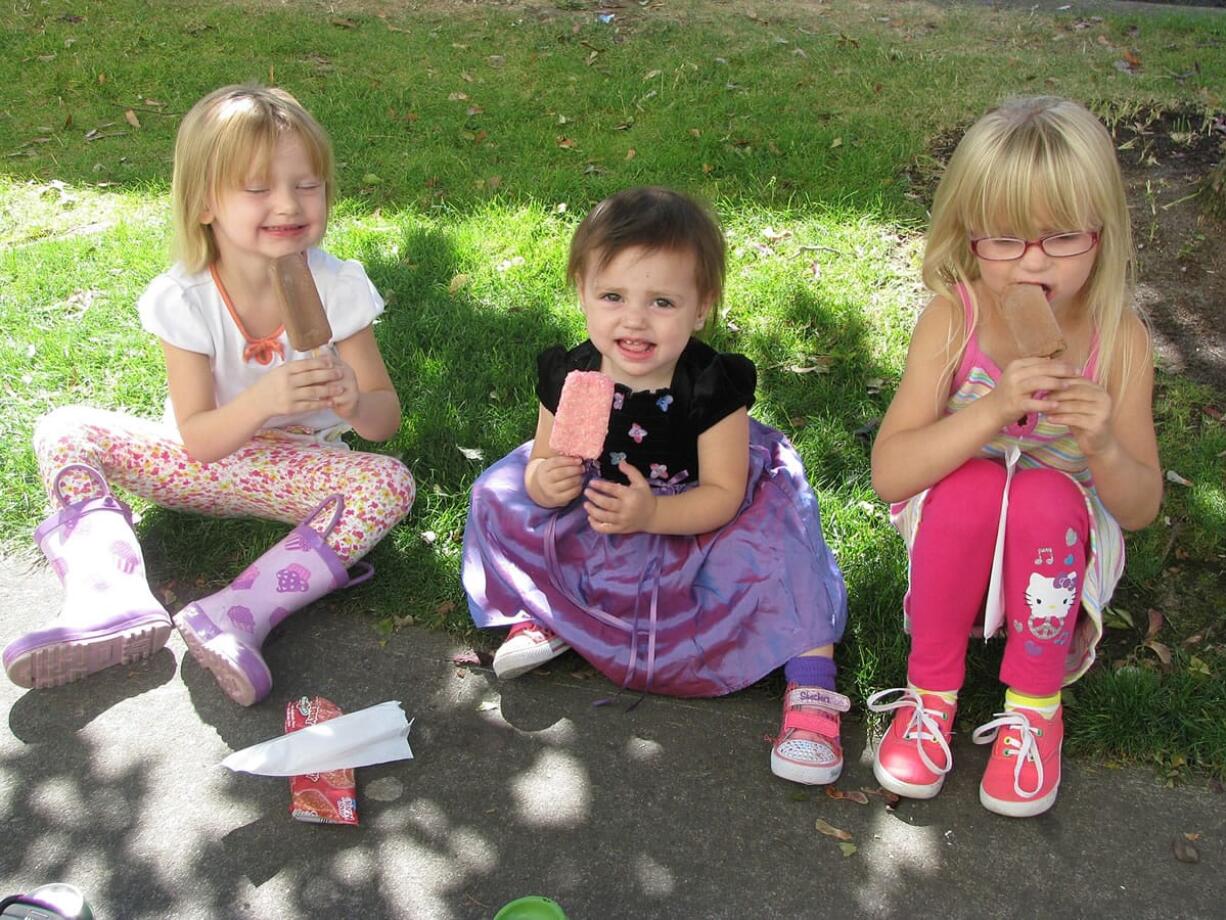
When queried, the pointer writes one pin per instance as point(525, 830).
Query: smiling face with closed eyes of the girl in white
point(272, 213)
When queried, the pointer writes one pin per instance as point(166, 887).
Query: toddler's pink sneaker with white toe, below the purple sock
point(809, 749)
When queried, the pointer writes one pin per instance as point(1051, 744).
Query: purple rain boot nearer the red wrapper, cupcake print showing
point(225, 631)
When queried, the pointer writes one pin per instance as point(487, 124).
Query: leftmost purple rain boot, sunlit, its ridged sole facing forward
point(110, 614)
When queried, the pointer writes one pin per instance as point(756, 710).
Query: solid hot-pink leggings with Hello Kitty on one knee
point(1045, 554)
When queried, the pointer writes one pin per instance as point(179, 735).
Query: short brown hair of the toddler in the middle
point(654, 219)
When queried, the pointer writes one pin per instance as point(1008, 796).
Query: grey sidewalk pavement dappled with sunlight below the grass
point(525, 788)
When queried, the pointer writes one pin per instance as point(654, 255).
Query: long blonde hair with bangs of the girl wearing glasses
point(1037, 159)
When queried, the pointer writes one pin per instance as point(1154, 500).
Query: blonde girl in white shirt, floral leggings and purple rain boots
point(252, 426)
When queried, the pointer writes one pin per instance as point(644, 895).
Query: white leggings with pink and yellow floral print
point(278, 477)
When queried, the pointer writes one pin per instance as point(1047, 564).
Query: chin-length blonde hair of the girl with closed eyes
point(223, 139)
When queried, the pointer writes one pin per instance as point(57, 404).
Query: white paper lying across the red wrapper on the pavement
point(375, 735)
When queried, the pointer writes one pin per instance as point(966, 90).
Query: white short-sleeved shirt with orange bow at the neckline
point(188, 312)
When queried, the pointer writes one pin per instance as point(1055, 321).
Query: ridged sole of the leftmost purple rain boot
point(69, 661)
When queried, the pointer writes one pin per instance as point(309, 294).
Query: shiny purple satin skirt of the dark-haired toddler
point(685, 616)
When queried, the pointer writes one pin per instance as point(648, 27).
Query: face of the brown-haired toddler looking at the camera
point(642, 307)
